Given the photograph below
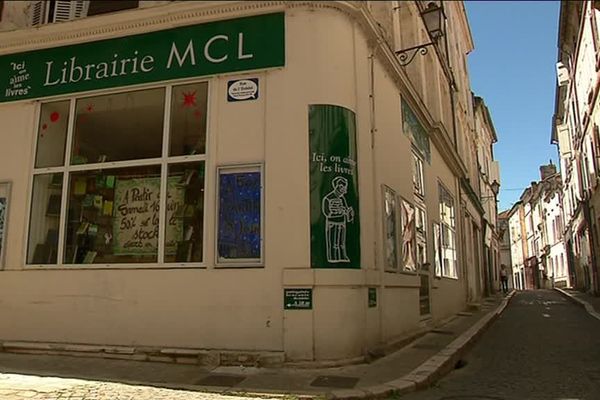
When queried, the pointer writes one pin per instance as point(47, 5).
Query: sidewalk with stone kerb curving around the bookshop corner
point(415, 366)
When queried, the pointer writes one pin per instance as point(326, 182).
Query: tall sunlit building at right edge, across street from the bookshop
point(576, 132)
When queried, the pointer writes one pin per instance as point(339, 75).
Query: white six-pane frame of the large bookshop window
point(164, 161)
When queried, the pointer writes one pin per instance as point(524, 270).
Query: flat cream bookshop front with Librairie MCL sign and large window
point(119, 197)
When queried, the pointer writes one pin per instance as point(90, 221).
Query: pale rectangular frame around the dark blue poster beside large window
point(242, 262)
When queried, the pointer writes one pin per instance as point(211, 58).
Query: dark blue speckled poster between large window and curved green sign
point(239, 235)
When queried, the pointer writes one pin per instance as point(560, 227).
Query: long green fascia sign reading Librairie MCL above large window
point(217, 47)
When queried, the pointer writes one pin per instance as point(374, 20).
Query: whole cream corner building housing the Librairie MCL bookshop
point(236, 182)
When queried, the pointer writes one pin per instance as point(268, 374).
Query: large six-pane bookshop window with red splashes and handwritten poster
point(116, 182)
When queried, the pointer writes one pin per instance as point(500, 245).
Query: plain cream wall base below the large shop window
point(201, 309)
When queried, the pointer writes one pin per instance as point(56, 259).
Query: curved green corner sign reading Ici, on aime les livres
point(334, 217)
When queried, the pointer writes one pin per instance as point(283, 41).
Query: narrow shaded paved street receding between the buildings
point(542, 347)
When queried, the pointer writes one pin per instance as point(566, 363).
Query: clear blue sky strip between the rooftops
point(513, 69)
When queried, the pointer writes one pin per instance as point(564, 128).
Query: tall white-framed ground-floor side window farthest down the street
point(447, 234)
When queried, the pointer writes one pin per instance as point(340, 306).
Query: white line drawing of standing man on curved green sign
point(337, 214)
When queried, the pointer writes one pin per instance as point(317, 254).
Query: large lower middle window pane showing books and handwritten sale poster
point(113, 216)
